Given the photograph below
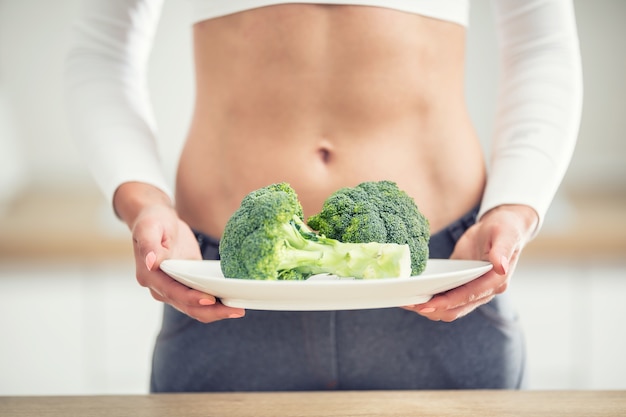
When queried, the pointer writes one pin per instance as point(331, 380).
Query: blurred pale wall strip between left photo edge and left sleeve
point(33, 38)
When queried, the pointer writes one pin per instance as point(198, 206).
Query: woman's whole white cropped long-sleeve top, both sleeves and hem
point(538, 109)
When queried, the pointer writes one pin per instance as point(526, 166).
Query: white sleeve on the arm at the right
point(539, 103)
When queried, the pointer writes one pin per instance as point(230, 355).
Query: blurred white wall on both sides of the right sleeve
point(599, 159)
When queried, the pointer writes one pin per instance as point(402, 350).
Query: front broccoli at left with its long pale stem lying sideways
point(267, 239)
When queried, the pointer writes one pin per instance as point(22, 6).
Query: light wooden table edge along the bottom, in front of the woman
point(328, 404)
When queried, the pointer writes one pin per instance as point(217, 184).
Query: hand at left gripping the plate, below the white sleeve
point(158, 234)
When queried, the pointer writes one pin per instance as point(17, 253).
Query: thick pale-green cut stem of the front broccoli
point(309, 253)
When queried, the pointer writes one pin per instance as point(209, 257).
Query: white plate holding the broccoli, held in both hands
point(324, 292)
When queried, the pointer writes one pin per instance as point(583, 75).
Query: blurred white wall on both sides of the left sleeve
point(34, 37)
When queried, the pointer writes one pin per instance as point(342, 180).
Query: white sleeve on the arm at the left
point(106, 92)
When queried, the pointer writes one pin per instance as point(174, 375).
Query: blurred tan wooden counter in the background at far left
point(62, 225)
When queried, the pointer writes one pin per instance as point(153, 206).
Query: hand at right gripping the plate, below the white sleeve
point(498, 237)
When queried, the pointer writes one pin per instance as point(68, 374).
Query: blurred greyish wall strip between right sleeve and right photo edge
point(601, 154)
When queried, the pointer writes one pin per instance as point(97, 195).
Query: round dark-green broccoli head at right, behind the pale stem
point(375, 212)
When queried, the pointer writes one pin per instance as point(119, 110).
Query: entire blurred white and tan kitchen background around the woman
point(74, 321)
